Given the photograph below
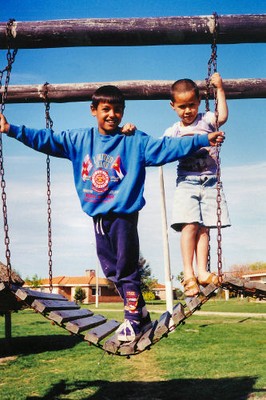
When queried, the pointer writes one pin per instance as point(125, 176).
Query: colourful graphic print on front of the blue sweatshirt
point(104, 172)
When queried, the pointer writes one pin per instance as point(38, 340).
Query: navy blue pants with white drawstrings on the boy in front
point(117, 244)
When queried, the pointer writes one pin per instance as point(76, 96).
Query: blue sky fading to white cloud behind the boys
point(243, 153)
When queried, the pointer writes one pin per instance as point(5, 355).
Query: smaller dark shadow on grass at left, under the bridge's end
point(36, 344)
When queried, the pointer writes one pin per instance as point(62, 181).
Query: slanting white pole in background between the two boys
point(167, 268)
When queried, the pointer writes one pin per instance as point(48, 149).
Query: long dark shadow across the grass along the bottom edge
point(176, 389)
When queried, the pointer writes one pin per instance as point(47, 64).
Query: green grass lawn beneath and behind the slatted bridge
point(210, 357)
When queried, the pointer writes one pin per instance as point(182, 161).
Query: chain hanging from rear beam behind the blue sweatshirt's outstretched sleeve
point(49, 125)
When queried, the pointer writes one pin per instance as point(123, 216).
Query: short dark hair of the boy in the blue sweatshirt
point(108, 94)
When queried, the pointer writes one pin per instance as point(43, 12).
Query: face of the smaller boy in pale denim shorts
point(186, 105)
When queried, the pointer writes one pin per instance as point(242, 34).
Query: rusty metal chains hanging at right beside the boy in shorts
point(212, 68)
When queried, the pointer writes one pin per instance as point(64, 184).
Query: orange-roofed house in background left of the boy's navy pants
point(66, 286)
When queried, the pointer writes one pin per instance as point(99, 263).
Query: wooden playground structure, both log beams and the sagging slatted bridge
point(120, 32)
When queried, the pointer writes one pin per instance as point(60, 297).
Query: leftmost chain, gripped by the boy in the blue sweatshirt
point(6, 71)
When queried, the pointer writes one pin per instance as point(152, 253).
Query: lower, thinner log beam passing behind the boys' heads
point(133, 90)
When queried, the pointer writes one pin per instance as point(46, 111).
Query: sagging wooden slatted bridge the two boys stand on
point(95, 329)
